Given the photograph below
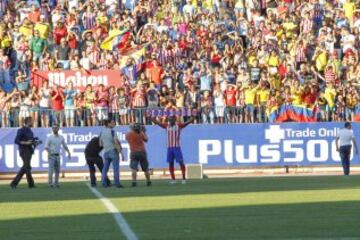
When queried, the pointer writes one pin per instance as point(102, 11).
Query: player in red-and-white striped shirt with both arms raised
point(173, 130)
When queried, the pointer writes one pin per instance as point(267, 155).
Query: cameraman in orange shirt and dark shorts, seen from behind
point(136, 139)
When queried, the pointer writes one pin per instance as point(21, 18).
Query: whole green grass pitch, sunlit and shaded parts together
point(326, 207)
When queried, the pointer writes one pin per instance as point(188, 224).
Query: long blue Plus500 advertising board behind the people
point(210, 145)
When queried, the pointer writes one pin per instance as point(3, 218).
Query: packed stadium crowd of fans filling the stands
point(231, 60)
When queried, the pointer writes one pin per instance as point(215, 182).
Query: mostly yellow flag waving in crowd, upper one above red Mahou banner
point(117, 39)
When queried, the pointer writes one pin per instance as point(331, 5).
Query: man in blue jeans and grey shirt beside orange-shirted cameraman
point(112, 149)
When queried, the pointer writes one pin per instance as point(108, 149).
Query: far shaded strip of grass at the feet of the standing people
point(79, 190)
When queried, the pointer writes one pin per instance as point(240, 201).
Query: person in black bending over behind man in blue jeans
point(93, 158)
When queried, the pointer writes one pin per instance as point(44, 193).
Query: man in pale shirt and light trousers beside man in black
point(53, 147)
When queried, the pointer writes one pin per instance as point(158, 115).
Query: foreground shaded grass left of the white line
point(78, 227)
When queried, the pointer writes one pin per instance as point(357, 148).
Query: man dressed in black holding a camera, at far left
point(25, 140)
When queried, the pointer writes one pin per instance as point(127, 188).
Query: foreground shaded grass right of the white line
point(286, 221)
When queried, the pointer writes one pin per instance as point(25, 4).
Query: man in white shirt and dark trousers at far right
point(344, 139)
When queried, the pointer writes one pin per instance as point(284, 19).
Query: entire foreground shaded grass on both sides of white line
point(286, 221)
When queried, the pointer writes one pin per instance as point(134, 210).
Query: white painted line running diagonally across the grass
point(119, 218)
